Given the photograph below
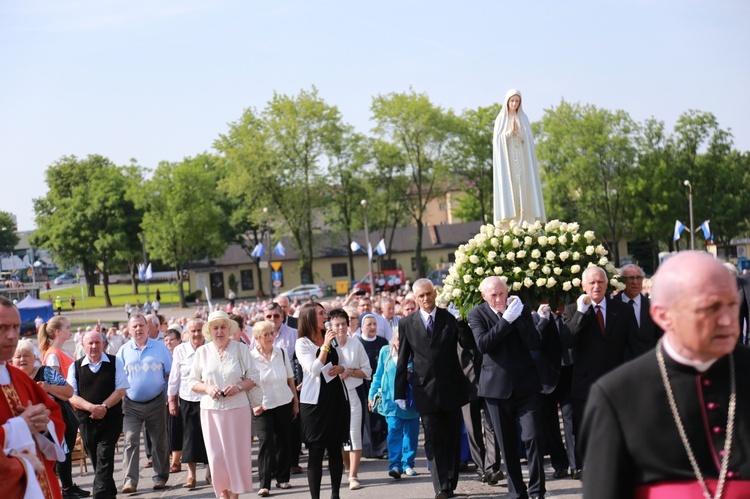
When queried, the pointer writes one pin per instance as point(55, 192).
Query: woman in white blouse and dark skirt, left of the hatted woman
point(186, 403)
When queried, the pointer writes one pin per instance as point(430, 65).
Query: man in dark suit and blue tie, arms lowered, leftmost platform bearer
point(430, 338)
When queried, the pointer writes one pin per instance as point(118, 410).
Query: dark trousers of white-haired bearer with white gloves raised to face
point(528, 412)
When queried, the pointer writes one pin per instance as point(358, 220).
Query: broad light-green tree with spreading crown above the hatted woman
point(277, 161)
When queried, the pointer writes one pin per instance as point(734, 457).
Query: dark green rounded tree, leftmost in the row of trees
point(86, 218)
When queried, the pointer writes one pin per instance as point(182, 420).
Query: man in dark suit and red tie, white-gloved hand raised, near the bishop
point(598, 332)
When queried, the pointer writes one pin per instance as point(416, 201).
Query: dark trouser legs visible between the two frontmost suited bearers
point(482, 442)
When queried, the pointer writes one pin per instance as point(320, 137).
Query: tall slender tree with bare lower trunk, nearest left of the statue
point(422, 132)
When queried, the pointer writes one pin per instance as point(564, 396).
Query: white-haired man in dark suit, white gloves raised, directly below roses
point(504, 332)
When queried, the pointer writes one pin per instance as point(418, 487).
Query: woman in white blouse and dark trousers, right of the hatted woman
point(273, 419)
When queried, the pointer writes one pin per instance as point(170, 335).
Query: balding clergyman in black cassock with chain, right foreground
point(695, 380)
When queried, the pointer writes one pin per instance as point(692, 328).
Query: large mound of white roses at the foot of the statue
point(541, 263)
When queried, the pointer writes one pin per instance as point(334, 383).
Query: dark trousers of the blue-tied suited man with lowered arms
point(442, 442)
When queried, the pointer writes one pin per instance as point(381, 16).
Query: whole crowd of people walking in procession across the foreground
point(354, 377)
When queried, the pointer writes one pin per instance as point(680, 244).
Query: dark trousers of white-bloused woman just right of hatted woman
point(273, 431)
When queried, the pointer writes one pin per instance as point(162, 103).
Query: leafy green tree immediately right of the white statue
point(587, 154)
